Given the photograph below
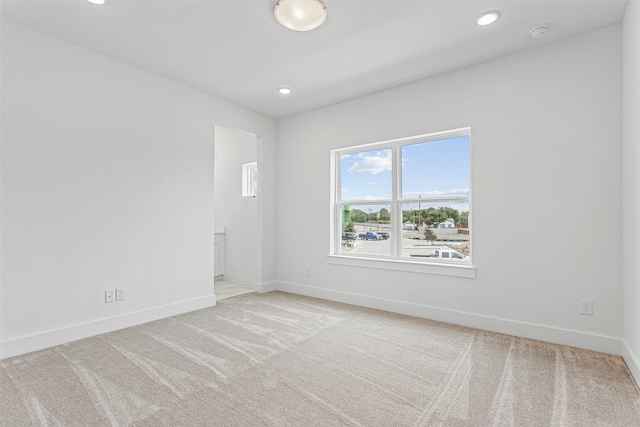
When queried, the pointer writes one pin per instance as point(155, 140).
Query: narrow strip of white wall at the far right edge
point(631, 187)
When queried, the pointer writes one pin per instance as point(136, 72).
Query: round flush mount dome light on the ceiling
point(300, 15)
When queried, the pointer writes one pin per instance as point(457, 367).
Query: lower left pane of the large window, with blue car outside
point(366, 229)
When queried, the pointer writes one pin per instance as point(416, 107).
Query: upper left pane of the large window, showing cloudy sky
point(366, 175)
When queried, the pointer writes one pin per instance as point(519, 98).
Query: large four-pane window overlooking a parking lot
point(404, 200)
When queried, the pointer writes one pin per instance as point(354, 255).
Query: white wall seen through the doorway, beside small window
point(234, 213)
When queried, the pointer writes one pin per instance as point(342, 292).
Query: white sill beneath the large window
point(467, 271)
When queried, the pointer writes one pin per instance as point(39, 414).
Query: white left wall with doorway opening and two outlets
point(107, 181)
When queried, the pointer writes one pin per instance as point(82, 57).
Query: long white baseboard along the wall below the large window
point(601, 343)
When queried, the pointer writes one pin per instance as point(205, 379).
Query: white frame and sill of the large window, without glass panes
point(395, 261)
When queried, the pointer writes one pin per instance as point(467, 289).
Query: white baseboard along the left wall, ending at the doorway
point(23, 345)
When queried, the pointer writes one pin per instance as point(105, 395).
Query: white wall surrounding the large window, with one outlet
point(546, 150)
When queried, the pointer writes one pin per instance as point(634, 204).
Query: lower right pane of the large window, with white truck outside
point(436, 231)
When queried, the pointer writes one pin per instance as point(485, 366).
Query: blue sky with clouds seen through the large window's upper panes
point(430, 169)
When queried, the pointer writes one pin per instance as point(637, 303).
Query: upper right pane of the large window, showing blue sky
point(436, 168)
